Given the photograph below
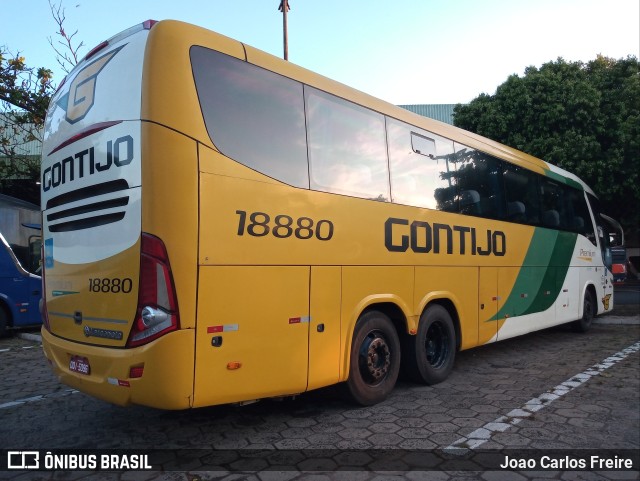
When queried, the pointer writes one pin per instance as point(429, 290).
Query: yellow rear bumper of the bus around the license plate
point(166, 383)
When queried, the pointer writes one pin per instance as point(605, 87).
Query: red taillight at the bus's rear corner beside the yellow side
point(157, 312)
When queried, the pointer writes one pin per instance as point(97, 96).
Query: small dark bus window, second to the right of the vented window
point(521, 195)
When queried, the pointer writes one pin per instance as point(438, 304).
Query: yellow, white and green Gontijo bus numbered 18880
point(222, 226)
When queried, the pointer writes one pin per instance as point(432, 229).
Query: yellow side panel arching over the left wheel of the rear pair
point(368, 285)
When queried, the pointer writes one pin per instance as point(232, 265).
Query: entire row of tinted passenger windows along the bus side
point(311, 139)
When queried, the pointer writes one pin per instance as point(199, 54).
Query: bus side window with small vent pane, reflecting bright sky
point(422, 173)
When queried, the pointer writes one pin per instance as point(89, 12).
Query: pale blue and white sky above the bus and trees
point(403, 51)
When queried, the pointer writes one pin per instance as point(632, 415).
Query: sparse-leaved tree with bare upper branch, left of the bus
point(25, 93)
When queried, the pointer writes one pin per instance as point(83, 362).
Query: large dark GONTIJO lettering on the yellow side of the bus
point(425, 238)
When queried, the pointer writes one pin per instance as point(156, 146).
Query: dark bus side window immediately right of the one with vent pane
point(480, 187)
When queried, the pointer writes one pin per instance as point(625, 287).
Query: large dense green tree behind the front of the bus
point(582, 117)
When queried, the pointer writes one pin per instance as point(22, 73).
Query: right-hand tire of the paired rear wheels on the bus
point(428, 357)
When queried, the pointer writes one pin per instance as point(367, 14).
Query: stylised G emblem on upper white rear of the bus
point(81, 95)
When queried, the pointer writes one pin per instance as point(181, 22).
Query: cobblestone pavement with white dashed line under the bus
point(553, 392)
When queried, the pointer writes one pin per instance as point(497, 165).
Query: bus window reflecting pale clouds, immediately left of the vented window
point(347, 147)
